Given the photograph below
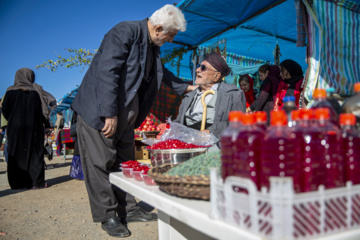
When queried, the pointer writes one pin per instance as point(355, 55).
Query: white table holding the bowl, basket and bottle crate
point(181, 218)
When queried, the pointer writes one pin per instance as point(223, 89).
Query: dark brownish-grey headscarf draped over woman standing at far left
point(25, 79)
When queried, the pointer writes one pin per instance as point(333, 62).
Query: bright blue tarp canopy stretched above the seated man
point(251, 28)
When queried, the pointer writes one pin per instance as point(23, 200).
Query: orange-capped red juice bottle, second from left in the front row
point(247, 149)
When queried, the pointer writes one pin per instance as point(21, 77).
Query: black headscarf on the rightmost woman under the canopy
point(296, 73)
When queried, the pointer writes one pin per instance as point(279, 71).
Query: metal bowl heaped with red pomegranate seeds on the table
point(173, 151)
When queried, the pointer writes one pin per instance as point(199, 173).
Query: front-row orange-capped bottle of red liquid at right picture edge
point(351, 147)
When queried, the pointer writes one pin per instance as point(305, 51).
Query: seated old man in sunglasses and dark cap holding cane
point(227, 97)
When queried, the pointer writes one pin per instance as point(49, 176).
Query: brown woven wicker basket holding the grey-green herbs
point(186, 187)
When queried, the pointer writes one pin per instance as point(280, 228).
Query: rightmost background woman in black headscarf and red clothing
point(291, 84)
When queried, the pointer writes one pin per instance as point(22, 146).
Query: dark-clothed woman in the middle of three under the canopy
point(270, 75)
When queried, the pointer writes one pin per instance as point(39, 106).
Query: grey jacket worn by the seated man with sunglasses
point(229, 98)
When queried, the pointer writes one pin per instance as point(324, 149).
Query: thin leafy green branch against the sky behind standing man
point(78, 58)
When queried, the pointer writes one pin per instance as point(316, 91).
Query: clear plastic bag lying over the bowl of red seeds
point(185, 134)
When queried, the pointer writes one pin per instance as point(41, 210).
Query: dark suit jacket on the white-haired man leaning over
point(116, 75)
